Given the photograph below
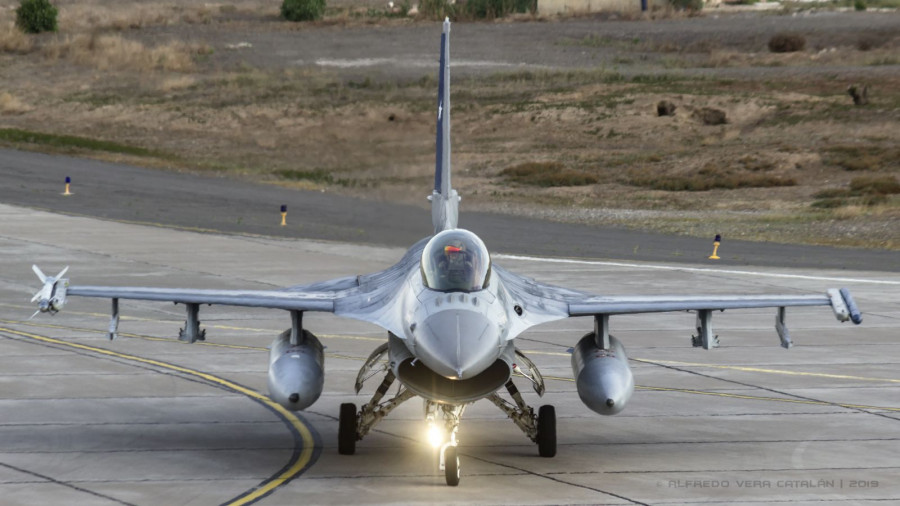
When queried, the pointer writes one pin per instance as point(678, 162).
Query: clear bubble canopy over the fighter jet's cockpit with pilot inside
point(456, 261)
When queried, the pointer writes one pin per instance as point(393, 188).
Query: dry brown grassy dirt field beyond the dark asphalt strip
point(348, 105)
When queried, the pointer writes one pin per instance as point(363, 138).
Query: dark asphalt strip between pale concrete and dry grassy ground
point(126, 193)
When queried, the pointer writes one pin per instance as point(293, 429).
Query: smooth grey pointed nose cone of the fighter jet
point(457, 344)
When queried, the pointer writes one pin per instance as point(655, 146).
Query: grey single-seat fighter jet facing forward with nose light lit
point(452, 317)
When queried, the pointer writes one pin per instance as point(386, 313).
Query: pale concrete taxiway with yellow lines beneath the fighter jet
point(146, 419)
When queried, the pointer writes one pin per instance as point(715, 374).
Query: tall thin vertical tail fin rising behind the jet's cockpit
point(444, 199)
